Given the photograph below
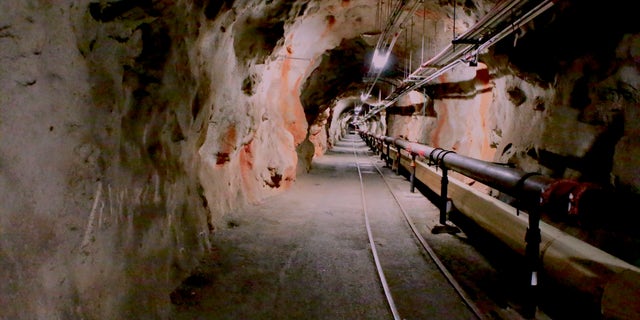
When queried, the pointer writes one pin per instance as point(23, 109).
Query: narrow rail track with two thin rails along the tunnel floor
point(388, 227)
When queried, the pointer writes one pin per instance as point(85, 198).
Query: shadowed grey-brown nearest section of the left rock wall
point(102, 212)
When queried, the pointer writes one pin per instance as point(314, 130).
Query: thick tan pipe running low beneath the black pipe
point(606, 279)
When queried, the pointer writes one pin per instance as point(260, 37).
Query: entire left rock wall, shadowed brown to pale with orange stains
point(129, 128)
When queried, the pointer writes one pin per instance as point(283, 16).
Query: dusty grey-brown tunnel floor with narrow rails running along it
point(305, 254)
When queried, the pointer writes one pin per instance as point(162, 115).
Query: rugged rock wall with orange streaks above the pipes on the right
point(546, 100)
